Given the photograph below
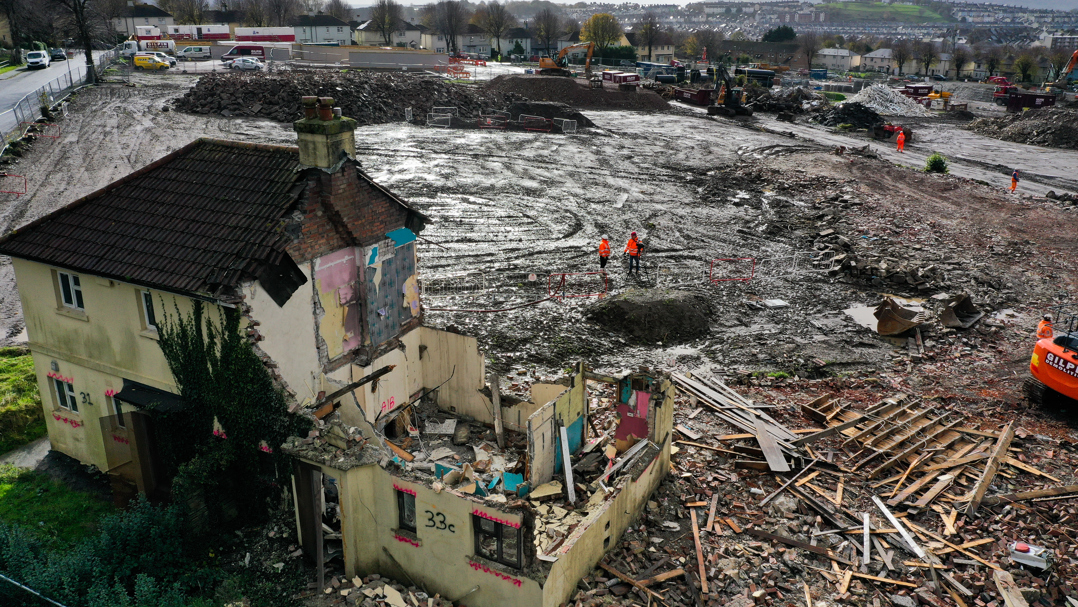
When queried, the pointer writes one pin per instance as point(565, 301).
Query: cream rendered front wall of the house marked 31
point(96, 351)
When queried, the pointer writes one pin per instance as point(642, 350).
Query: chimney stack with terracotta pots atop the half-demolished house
point(325, 137)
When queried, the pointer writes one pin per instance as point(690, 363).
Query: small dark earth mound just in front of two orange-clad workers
point(654, 315)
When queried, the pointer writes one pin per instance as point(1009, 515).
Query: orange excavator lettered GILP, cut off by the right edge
point(1054, 368)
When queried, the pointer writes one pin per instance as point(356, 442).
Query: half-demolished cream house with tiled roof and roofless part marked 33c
point(417, 467)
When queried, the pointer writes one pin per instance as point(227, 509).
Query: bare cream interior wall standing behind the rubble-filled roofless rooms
point(457, 362)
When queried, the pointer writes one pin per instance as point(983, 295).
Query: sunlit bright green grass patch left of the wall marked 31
point(22, 420)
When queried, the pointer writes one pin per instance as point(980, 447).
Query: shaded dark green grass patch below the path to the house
point(56, 514)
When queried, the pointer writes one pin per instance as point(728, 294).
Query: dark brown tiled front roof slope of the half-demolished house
point(205, 217)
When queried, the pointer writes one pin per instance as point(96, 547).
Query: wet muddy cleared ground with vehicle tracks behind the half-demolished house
point(514, 211)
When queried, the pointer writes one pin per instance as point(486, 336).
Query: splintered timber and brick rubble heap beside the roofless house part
point(902, 501)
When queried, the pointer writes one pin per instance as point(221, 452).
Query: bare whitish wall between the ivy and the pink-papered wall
point(288, 335)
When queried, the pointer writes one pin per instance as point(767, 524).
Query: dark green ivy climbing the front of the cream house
point(219, 376)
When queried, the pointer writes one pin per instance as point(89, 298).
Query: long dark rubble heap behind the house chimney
point(368, 98)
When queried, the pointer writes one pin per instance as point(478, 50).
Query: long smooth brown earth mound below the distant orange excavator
point(576, 93)
